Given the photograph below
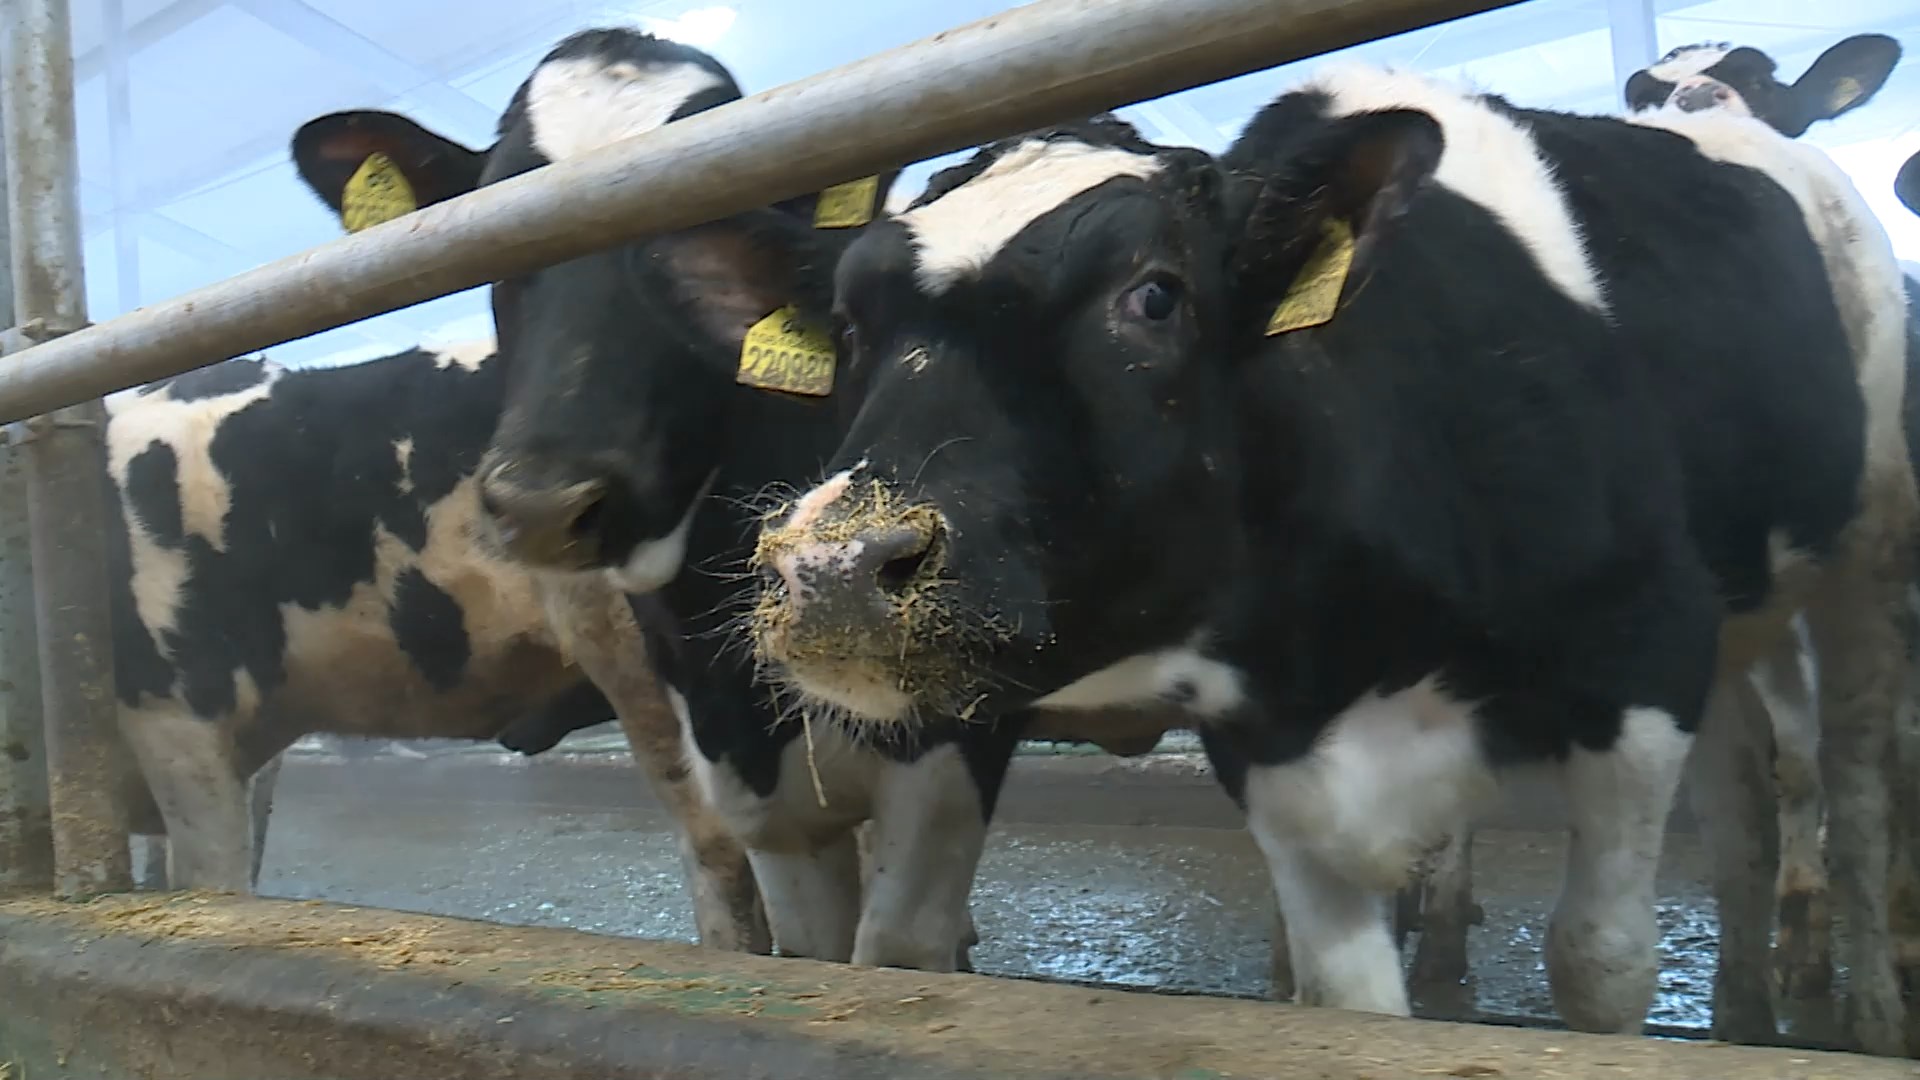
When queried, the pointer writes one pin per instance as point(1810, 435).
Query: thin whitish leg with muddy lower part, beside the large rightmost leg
point(1804, 956)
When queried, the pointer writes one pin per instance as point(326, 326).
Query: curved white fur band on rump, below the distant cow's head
point(1860, 258)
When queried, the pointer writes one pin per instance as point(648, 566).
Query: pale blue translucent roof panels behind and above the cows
point(187, 107)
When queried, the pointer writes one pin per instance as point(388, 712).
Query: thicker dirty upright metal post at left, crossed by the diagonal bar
point(85, 754)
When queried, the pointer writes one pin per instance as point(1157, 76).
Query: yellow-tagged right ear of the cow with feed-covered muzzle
point(1310, 228)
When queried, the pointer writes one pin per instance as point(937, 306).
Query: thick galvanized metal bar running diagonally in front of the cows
point(1045, 62)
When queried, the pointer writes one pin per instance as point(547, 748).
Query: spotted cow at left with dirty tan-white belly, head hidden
point(297, 552)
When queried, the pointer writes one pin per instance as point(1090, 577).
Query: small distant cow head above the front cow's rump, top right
point(1742, 80)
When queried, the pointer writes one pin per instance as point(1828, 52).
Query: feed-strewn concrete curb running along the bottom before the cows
point(229, 989)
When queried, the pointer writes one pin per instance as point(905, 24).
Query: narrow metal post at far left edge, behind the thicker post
point(26, 822)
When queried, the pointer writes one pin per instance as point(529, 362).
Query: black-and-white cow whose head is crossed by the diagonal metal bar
point(629, 453)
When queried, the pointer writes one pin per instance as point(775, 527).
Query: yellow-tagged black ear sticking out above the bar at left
point(352, 160)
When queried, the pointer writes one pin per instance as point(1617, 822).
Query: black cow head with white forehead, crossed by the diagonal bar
point(621, 364)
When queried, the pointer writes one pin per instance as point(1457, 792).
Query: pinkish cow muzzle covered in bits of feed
point(853, 602)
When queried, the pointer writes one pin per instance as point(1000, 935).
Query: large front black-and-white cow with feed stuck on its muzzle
point(1560, 422)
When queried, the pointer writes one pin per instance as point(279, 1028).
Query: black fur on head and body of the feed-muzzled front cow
point(1466, 474)
